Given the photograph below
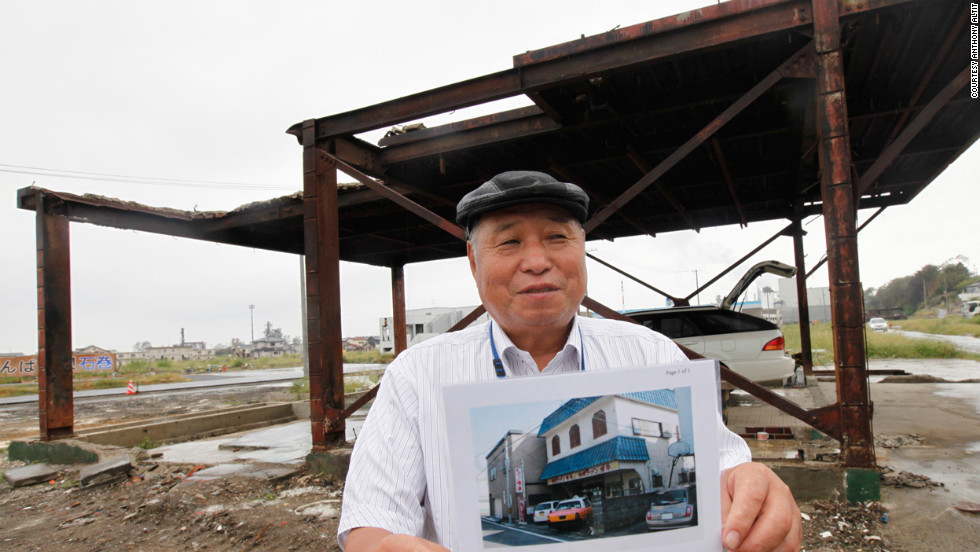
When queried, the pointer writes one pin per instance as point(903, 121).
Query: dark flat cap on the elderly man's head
point(518, 187)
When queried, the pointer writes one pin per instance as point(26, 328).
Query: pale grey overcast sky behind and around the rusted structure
point(189, 103)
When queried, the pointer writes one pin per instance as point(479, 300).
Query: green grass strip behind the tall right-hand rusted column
point(880, 345)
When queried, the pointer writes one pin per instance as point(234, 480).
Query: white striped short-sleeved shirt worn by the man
point(399, 471)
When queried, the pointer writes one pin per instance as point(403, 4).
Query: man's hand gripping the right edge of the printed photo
point(758, 511)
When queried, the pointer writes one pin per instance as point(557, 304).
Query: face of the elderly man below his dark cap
point(529, 265)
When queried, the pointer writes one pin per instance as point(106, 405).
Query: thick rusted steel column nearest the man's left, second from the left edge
point(322, 248)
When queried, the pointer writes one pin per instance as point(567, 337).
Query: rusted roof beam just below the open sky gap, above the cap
point(471, 138)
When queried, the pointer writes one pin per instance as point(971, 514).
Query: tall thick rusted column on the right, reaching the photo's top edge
point(840, 214)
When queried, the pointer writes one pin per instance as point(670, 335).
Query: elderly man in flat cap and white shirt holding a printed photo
point(526, 248)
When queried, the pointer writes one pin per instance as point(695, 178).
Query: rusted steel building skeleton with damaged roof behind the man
point(740, 112)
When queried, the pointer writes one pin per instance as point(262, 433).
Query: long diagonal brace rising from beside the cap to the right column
point(695, 141)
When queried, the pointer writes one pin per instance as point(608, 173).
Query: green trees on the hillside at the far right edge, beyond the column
point(930, 286)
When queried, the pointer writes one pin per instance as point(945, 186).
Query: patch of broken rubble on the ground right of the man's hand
point(831, 526)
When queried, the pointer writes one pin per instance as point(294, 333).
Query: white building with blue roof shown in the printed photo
point(613, 446)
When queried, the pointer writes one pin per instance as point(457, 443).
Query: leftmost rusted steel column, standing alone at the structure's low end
point(56, 407)
